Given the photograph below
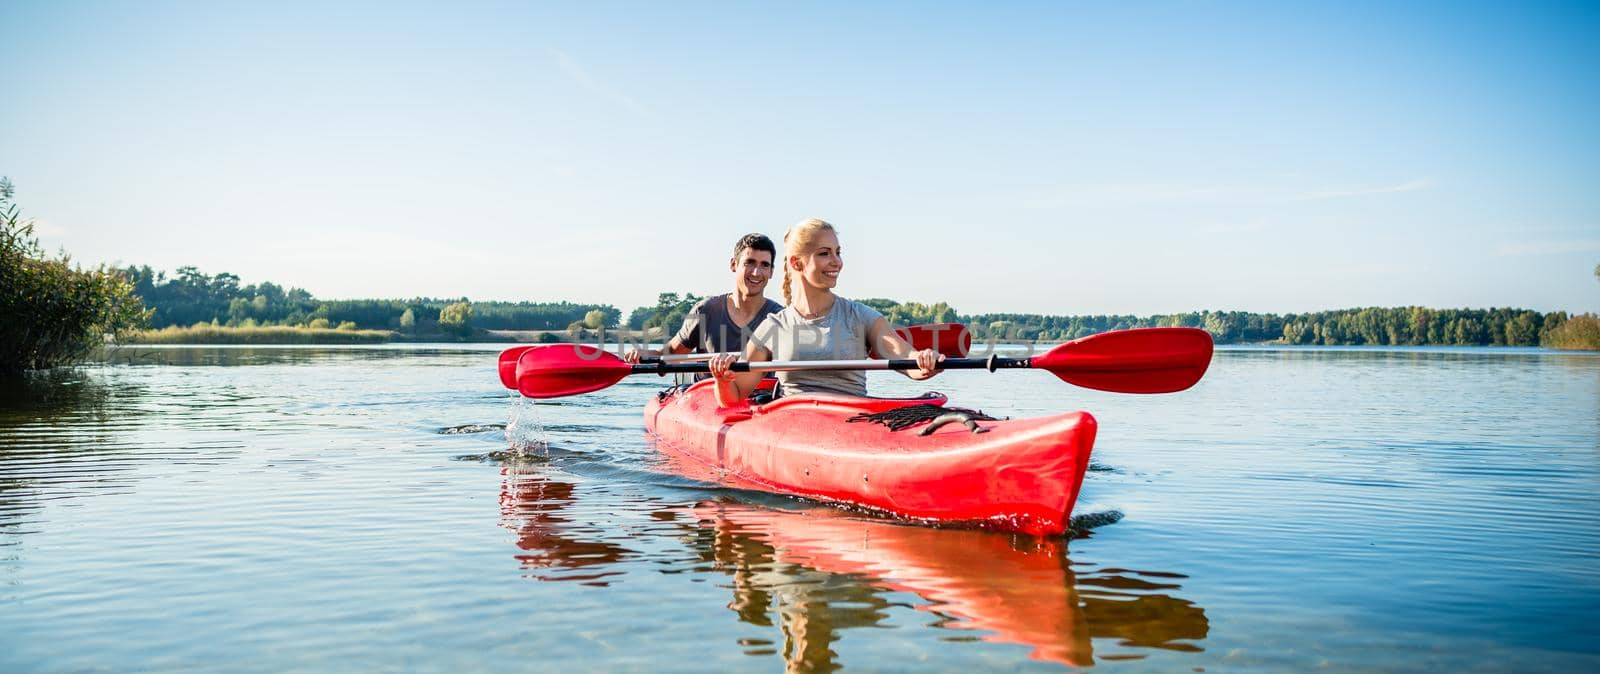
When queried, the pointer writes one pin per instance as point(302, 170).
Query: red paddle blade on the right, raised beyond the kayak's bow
point(1145, 361)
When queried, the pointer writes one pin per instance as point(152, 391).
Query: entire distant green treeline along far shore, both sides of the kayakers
point(191, 299)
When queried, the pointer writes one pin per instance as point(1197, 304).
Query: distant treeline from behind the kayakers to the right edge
point(1361, 327)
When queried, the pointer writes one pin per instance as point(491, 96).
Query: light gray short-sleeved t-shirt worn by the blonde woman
point(839, 335)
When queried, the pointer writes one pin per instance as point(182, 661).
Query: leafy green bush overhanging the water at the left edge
point(54, 313)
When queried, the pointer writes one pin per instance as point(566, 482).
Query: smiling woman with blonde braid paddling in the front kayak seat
point(817, 326)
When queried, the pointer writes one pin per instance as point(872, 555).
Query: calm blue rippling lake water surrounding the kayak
point(364, 510)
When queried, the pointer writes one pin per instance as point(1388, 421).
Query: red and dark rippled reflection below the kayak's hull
point(1018, 590)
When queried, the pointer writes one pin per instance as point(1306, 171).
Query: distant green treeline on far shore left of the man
point(191, 297)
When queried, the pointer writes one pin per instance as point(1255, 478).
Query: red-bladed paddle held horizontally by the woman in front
point(1146, 361)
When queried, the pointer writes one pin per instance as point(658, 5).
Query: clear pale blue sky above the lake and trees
point(1041, 158)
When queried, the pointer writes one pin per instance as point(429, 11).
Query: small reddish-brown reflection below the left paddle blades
point(532, 505)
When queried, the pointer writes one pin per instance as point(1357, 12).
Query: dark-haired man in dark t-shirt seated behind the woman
point(724, 323)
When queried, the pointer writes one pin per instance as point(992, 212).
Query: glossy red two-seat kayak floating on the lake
point(1017, 476)
